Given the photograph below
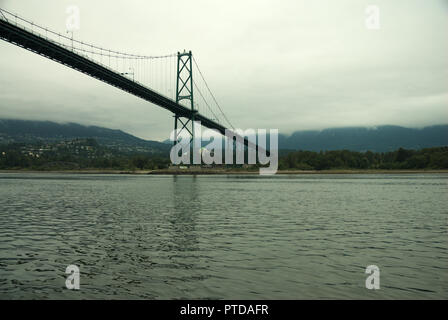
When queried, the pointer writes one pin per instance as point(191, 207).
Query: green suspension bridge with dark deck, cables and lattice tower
point(165, 80)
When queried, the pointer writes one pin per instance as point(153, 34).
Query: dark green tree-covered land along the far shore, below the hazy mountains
point(88, 154)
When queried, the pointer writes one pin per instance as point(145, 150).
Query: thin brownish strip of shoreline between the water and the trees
point(227, 172)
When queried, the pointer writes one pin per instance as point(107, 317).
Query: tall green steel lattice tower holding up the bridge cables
point(184, 91)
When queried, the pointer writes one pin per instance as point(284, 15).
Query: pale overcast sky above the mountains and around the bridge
point(291, 65)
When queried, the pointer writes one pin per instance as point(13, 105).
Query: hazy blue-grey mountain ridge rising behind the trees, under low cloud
point(378, 139)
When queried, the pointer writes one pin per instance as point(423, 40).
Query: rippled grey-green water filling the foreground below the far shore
point(223, 237)
